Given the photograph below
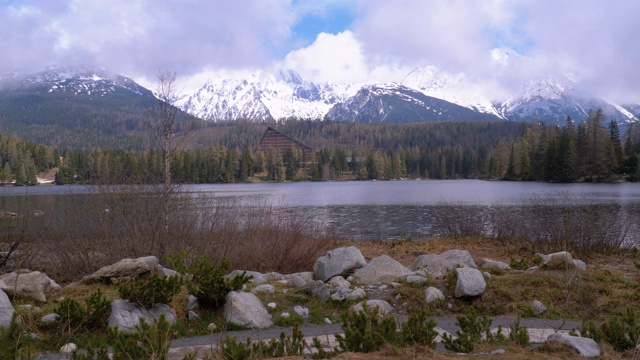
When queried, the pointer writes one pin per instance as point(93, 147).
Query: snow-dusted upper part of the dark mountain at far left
point(78, 80)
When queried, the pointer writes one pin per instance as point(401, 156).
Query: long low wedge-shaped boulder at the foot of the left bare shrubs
point(123, 271)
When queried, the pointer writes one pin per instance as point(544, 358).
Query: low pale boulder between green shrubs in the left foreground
point(125, 316)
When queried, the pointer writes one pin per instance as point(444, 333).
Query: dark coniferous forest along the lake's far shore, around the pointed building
point(594, 150)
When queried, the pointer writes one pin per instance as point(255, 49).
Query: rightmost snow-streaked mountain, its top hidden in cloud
point(553, 99)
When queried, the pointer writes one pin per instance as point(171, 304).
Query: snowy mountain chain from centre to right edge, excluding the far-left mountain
point(425, 94)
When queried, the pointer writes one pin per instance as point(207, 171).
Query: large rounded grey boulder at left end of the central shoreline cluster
point(340, 261)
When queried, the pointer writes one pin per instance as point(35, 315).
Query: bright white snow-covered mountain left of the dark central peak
point(262, 96)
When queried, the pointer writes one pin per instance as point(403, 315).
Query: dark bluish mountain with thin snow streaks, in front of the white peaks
point(395, 103)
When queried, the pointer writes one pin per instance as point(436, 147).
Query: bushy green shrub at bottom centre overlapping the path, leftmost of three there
point(364, 331)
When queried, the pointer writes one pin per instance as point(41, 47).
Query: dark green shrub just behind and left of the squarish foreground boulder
point(208, 283)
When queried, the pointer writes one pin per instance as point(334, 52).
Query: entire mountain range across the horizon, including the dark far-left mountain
point(55, 105)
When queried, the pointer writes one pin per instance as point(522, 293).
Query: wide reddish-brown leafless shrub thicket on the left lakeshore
point(116, 222)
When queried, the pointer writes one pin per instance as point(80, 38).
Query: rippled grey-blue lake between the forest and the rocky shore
point(414, 209)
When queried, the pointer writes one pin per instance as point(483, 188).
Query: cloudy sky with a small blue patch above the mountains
point(595, 42)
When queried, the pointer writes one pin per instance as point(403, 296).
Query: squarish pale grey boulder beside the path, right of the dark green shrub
point(245, 309)
